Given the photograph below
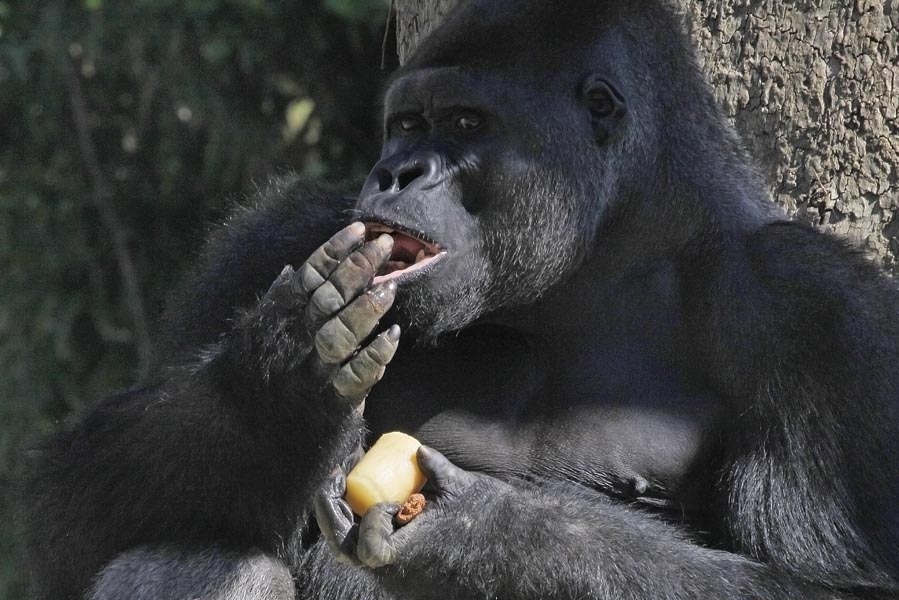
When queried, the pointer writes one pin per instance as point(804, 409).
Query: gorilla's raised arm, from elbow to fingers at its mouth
point(229, 449)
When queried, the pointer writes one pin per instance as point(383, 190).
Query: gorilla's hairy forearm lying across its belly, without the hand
point(561, 541)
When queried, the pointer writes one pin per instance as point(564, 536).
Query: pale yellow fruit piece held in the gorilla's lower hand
point(388, 472)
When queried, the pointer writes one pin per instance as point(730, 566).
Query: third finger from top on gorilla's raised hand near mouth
point(339, 338)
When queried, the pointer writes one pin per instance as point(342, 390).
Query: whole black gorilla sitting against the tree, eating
point(648, 383)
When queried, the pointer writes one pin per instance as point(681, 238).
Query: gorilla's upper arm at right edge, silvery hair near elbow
point(808, 480)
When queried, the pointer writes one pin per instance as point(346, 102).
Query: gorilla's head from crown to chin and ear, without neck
point(497, 164)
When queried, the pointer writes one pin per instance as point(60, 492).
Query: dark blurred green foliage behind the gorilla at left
point(126, 128)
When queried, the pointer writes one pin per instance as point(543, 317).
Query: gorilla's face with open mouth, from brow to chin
point(492, 188)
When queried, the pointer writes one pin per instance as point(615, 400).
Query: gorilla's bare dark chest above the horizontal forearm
point(491, 403)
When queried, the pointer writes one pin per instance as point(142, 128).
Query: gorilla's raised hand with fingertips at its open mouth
point(318, 316)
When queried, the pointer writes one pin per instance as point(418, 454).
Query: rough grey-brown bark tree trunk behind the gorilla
point(813, 88)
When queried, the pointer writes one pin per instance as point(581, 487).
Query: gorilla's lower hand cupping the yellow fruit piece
point(454, 498)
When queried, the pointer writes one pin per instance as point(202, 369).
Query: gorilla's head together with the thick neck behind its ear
point(505, 160)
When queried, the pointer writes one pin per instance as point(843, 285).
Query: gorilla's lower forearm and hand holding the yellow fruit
point(555, 541)
